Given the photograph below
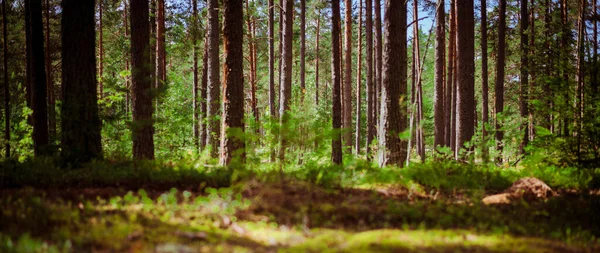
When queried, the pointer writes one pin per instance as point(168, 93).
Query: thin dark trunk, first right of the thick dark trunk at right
point(484, 81)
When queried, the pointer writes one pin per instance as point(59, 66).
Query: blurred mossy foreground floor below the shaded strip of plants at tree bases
point(265, 215)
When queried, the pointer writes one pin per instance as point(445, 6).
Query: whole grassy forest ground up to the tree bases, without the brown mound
point(119, 206)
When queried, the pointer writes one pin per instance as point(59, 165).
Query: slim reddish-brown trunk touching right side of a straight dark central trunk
point(347, 91)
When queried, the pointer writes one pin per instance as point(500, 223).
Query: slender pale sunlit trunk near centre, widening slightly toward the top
point(286, 78)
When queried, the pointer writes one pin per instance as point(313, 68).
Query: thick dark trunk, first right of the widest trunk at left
point(143, 126)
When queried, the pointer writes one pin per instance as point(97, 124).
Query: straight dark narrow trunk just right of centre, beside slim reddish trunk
point(336, 146)
